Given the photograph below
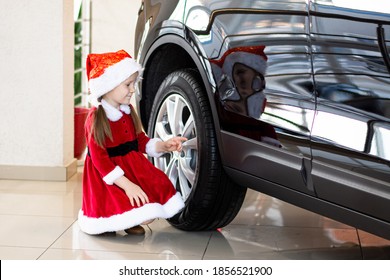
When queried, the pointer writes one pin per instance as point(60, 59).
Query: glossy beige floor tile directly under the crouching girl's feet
point(160, 238)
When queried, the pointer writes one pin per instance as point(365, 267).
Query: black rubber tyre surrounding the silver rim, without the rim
point(214, 200)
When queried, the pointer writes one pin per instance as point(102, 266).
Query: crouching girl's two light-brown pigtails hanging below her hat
point(101, 127)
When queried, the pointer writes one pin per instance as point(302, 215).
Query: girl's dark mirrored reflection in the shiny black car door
point(240, 98)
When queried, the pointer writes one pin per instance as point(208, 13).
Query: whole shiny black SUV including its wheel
point(290, 98)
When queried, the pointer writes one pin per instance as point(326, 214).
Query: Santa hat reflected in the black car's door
point(252, 56)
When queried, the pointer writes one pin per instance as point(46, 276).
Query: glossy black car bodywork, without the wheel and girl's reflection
point(327, 77)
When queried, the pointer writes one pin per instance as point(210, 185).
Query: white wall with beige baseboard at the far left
point(36, 89)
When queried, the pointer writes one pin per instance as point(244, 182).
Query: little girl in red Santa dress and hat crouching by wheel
point(121, 188)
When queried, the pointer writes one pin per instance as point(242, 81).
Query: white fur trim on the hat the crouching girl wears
point(112, 77)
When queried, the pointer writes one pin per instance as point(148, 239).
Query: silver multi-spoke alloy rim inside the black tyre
point(175, 118)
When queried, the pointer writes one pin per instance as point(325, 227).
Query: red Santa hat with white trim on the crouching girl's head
point(105, 71)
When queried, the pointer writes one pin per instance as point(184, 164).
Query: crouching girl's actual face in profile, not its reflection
point(122, 93)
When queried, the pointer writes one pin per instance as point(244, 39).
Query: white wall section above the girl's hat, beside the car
point(113, 25)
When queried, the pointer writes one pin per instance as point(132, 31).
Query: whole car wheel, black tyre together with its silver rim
point(181, 107)
